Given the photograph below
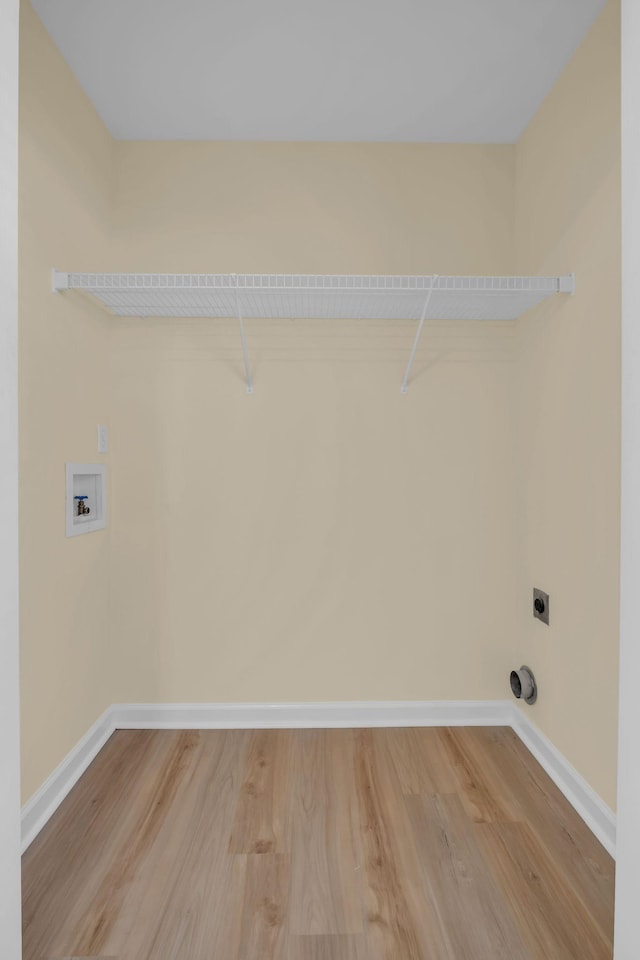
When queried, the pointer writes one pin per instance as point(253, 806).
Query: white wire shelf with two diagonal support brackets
point(311, 296)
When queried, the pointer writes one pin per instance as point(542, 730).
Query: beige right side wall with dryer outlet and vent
point(568, 218)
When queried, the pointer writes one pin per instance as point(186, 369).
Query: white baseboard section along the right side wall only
point(597, 815)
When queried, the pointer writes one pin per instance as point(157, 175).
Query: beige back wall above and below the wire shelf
point(325, 538)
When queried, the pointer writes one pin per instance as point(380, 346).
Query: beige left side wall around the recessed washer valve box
point(65, 193)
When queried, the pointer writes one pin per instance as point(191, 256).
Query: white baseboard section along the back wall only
point(220, 716)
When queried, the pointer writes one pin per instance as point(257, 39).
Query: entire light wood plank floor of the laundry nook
point(317, 845)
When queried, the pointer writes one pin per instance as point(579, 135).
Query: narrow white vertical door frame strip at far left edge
point(9, 691)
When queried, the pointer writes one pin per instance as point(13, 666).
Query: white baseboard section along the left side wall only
point(46, 800)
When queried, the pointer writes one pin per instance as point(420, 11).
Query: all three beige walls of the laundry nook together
point(325, 538)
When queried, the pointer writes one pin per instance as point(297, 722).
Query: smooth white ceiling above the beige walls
point(403, 70)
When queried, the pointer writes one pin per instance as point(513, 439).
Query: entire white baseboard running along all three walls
point(217, 716)
